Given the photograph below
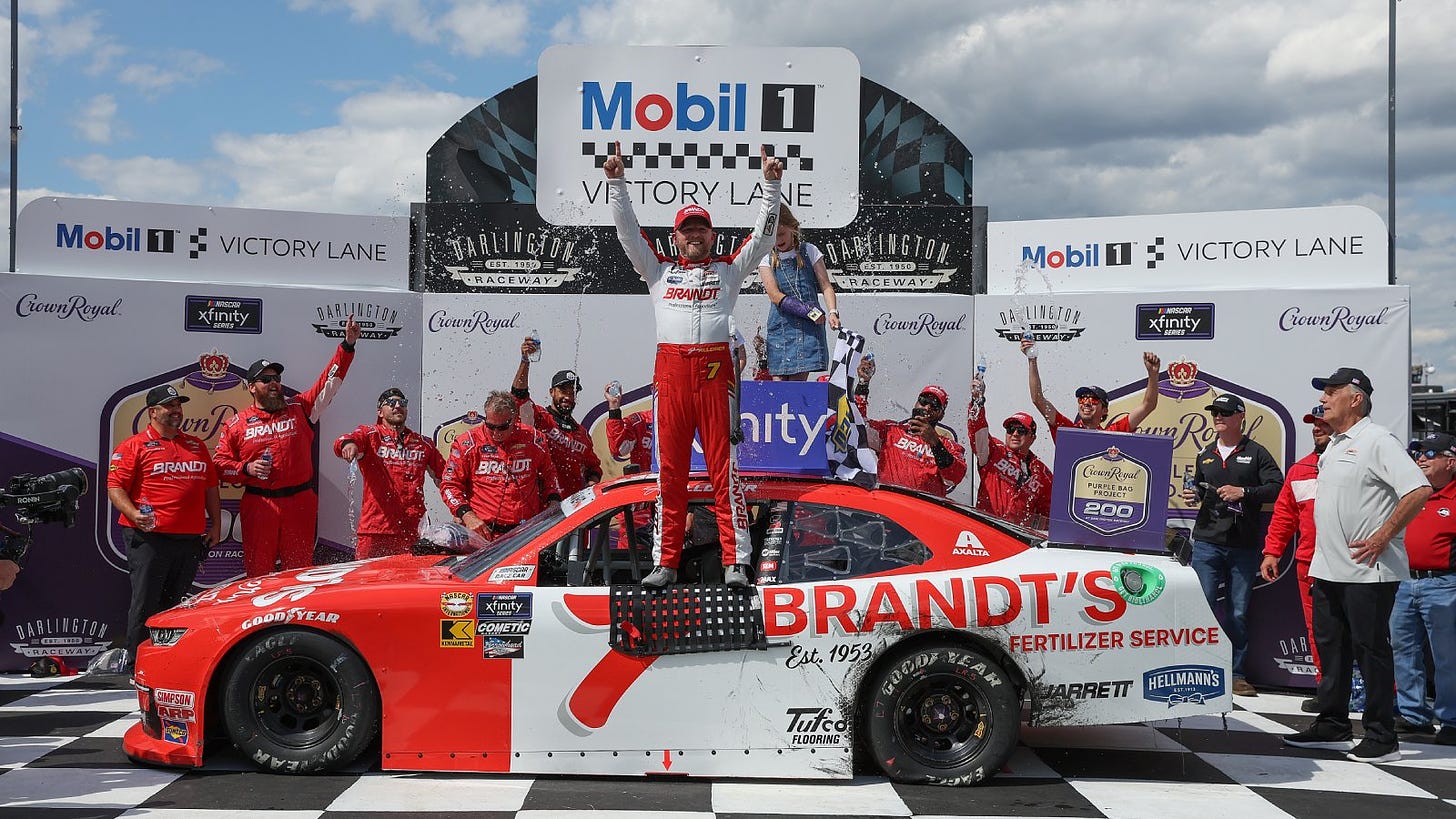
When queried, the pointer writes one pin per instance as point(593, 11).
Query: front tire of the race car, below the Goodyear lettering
point(299, 702)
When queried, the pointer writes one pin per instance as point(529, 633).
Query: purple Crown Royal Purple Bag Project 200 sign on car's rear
point(1112, 490)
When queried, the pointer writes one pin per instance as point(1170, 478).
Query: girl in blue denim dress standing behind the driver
point(794, 276)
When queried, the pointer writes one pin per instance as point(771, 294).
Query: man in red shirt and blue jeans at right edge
point(1425, 610)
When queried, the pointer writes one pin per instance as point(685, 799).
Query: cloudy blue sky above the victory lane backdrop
point(1072, 109)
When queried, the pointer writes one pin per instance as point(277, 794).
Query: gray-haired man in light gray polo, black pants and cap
point(1366, 495)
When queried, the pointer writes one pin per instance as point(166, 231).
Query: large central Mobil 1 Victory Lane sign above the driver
point(691, 122)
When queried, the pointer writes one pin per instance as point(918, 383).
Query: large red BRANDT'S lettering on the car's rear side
point(956, 603)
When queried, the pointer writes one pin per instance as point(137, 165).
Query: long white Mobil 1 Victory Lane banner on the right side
point(1326, 247)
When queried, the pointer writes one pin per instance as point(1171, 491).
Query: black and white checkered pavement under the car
point(60, 759)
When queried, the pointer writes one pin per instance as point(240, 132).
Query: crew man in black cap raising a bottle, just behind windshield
point(569, 442)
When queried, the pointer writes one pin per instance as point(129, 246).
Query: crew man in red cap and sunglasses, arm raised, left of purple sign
point(1016, 485)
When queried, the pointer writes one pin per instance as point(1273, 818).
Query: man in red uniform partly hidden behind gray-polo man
point(1295, 515)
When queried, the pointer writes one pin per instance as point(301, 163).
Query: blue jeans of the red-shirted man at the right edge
point(1425, 610)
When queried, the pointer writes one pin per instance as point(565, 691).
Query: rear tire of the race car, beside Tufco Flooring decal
point(938, 713)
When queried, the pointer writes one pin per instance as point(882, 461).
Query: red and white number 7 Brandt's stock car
point(887, 627)
